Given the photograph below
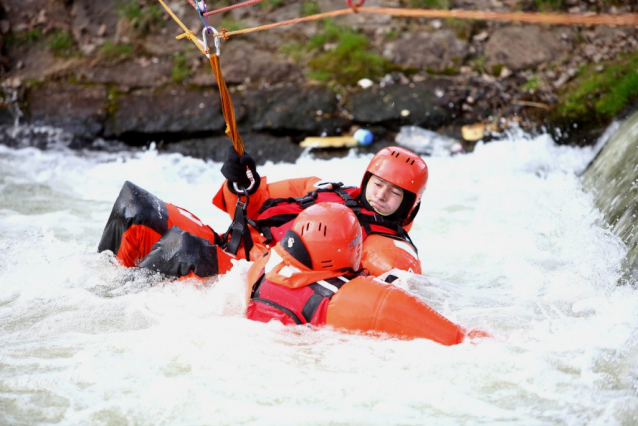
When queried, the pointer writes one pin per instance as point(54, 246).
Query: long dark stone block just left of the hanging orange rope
point(166, 111)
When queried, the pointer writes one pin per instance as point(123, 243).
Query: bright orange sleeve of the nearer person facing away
point(366, 304)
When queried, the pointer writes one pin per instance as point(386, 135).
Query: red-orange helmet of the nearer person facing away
point(331, 236)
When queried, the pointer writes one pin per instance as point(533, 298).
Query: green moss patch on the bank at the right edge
point(601, 94)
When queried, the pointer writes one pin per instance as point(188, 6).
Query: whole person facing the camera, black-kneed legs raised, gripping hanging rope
point(146, 232)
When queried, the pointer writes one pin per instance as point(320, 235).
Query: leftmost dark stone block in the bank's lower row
point(80, 110)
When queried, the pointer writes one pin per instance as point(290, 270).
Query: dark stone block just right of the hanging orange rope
point(302, 111)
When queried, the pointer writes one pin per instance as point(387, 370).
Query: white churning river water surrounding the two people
point(509, 242)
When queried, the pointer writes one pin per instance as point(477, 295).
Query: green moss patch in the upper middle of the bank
point(349, 61)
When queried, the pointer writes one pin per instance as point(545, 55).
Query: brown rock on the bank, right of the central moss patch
point(428, 51)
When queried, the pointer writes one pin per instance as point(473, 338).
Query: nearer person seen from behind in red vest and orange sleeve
point(313, 276)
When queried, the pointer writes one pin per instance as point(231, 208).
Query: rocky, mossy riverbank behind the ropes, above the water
point(111, 72)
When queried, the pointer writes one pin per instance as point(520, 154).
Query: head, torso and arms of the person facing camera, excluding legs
point(385, 204)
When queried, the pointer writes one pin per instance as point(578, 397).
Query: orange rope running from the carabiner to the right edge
point(629, 19)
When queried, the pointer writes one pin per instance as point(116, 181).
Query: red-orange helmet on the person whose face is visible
point(402, 168)
